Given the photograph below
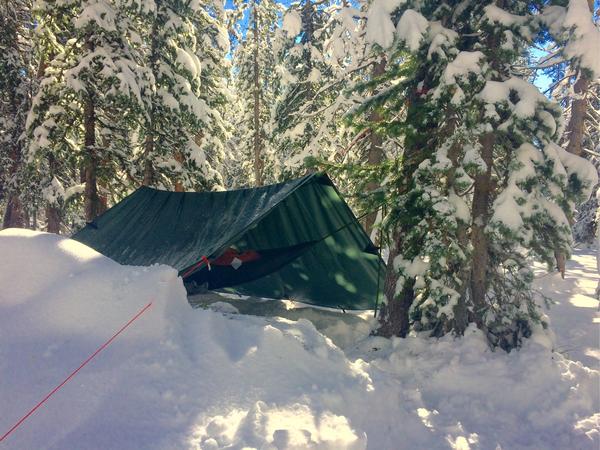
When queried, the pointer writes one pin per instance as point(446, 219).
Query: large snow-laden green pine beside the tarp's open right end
point(482, 184)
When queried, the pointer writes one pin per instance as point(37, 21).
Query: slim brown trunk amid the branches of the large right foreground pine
point(481, 199)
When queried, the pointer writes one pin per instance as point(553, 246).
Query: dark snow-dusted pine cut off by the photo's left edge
point(16, 80)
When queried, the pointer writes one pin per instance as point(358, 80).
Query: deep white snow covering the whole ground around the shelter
point(179, 378)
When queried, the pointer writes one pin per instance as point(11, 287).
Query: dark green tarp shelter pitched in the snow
point(297, 240)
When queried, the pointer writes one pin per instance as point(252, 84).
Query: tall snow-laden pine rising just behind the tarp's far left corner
point(87, 103)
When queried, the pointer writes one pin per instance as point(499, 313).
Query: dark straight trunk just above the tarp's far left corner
point(91, 198)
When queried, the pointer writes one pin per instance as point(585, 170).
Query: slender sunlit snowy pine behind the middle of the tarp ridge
point(256, 84)
